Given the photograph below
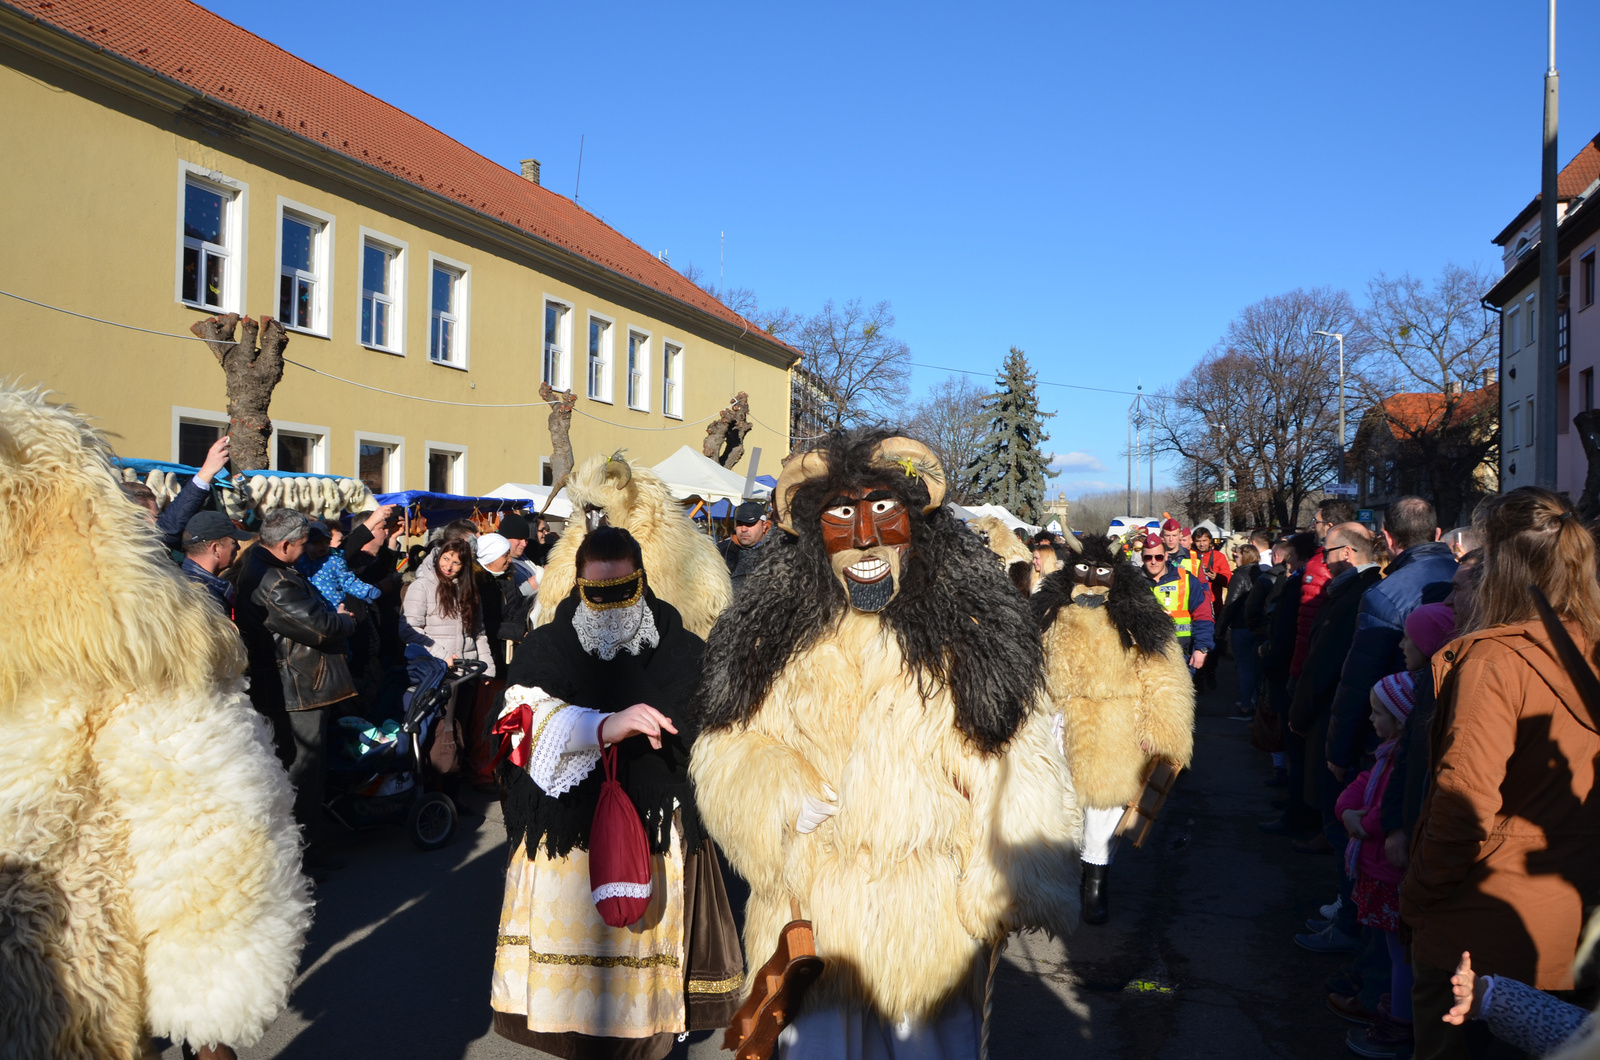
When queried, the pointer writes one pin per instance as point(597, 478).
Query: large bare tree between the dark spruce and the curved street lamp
point(1273, 383)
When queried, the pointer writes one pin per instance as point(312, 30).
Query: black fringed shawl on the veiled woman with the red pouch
point(665, 678)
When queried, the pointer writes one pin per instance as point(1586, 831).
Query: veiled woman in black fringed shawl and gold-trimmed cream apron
point(614, 669)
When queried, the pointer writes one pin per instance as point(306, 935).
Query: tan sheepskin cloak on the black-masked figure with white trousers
point(1114, 694)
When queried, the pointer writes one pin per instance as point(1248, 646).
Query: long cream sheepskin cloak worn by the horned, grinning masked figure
point(938, 849)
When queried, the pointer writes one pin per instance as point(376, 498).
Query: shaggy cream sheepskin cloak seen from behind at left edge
point(150, 862)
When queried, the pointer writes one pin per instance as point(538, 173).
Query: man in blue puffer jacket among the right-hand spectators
point(1420, 574)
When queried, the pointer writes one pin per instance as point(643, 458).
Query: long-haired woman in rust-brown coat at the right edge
point(1503, 859)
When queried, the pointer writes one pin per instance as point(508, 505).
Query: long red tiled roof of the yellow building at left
point(236, 68)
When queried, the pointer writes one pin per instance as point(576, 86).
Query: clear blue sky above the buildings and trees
point(1100, 185)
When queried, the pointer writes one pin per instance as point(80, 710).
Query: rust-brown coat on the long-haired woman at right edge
point(1503, 862)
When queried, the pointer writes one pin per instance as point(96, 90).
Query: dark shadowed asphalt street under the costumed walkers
point(1196, 962)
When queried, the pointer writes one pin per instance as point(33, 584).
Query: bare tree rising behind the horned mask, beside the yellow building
point(860, 372)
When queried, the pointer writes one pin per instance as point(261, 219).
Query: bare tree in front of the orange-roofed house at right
point(1434, 343)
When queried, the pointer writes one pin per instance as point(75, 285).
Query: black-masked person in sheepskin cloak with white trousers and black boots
point(1121, 685)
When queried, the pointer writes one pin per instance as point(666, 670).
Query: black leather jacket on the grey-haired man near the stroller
point(295, 643)
